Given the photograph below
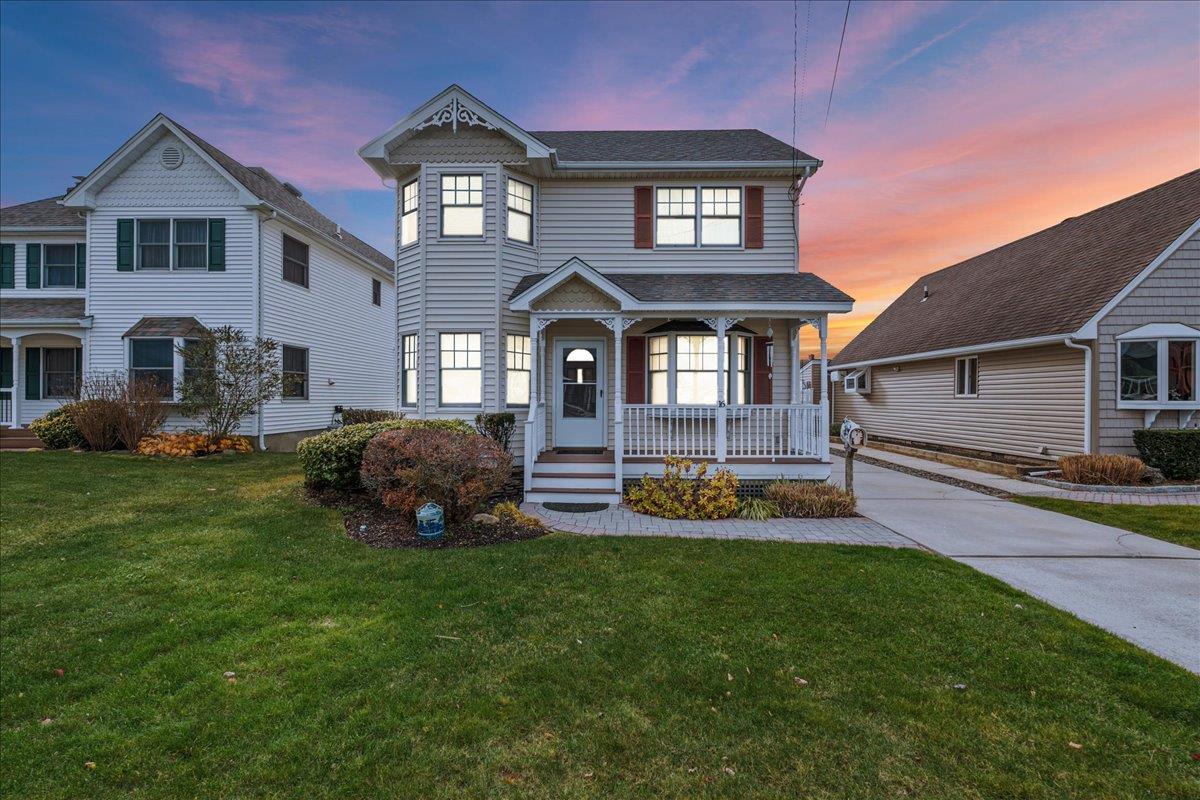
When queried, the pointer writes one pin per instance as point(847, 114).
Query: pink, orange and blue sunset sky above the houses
point(955, 128)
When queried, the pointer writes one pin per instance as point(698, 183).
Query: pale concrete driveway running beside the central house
point(1143, 590)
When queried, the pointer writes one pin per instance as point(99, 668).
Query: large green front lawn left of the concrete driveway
point(565, 667)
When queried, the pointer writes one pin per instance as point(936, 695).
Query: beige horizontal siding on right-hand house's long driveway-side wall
point(1028, 399)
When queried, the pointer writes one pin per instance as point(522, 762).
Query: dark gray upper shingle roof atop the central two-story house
point(737, 145)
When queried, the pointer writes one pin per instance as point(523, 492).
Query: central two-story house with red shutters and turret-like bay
point(628, 294)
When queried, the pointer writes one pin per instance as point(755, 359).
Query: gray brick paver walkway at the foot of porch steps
point(621, 521)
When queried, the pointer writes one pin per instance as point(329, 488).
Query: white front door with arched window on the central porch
point(579, 394)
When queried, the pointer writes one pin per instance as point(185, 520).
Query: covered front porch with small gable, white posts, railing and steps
point(619, 384)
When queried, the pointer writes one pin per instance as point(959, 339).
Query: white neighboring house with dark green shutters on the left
point(169, 236)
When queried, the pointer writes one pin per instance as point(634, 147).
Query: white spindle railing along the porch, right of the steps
point(751, 431)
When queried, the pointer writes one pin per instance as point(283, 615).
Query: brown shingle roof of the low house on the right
point(1048, 284)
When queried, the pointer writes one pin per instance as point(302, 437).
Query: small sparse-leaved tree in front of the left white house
point(227, 376)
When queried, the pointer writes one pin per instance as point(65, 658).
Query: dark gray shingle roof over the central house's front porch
point(733, 287)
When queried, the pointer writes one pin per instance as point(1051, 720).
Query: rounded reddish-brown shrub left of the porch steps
point(407, 468)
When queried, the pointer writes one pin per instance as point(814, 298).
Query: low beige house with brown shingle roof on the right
point(1061, 342)
